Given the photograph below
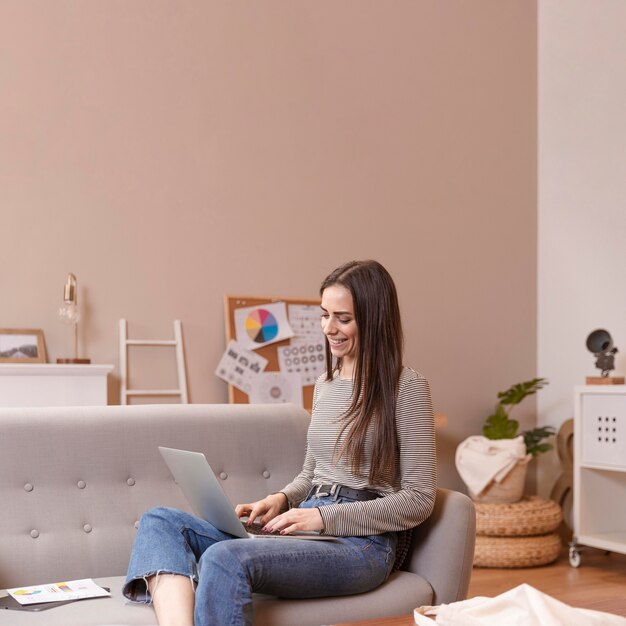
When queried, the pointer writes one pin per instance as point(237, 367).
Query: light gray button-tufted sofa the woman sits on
point(75, 481)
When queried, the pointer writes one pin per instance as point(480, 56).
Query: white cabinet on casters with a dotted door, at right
point(599, 469)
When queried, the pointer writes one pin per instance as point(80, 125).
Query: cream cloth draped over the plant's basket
point(480, 460)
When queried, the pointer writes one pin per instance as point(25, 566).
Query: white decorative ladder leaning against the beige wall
point(176, 343)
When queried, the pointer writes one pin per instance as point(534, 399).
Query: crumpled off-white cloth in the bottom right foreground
point(521, 606)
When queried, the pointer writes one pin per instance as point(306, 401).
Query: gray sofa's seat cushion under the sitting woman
point(399, 595)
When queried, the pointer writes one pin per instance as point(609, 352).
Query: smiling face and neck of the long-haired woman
point(339, 326)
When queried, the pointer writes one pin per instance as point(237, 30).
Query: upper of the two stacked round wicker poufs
point(532, 515)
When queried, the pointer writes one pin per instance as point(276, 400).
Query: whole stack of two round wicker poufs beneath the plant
point(520, 534)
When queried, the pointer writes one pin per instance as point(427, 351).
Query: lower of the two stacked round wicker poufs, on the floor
point(508, 552)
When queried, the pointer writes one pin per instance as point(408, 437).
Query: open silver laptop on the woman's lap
point(196, 479)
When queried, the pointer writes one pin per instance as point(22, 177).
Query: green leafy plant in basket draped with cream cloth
point(496, 472)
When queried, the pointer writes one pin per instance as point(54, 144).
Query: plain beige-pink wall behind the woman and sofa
point(168, 153)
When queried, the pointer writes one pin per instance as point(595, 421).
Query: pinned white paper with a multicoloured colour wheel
point(258, 326)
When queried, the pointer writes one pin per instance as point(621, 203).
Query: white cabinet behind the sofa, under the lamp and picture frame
point(42, 384)
